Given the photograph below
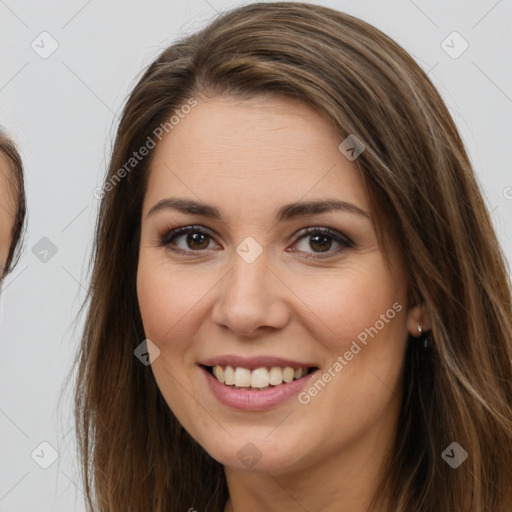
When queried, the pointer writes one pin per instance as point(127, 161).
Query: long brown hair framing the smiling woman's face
point(135, 455)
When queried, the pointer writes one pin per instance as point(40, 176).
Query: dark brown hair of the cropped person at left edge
point(9, 150)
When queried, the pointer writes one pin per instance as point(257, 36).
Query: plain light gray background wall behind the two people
point(62, 110)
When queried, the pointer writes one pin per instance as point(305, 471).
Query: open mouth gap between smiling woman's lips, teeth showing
point(257, 379)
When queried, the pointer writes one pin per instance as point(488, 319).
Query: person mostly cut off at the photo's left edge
point(12, 204)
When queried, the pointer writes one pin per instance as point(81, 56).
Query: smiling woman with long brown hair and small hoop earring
point(298, 301)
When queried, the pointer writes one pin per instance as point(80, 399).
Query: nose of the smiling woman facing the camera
point(251, 298)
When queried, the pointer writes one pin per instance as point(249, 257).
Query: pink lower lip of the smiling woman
point(255, 400)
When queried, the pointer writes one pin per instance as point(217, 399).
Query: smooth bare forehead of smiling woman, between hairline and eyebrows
point(249, 153)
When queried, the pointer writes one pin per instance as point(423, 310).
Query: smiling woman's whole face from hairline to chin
point(251, 290)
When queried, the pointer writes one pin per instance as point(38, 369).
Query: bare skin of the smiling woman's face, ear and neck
point(248, 159)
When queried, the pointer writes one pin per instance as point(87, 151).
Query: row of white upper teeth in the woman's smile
point(258, 378)
